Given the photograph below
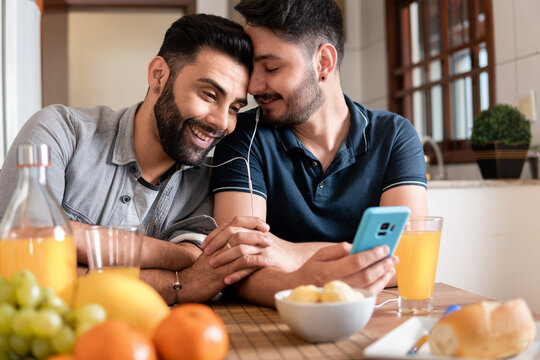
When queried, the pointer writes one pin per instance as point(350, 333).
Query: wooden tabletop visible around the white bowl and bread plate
point(257, 332)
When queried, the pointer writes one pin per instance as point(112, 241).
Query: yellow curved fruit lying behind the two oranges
point(123, 298)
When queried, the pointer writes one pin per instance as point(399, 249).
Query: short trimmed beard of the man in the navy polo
point(301, 105)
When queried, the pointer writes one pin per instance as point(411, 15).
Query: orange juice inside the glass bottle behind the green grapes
point(52, 261)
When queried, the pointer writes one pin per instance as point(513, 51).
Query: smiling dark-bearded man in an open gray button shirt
point(144, 164)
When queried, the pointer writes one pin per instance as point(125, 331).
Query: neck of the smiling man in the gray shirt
point(153, 161)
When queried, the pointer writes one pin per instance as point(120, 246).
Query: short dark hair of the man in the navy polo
point(309, 23)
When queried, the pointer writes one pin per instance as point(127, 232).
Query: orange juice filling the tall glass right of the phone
point(418, 253)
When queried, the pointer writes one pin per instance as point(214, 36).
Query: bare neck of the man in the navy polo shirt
point(324, 132)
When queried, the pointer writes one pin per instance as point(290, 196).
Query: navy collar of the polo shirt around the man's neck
point(356, 138)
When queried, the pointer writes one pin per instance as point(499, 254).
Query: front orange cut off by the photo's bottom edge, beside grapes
point(114, 340)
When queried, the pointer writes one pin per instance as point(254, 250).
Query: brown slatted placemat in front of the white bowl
point(258, 333)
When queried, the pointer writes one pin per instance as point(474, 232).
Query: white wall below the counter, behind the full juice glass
point(491, 245)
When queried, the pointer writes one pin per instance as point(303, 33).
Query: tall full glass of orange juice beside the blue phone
point(418, 252)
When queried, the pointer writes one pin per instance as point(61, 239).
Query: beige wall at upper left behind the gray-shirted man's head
point(106, 54)
